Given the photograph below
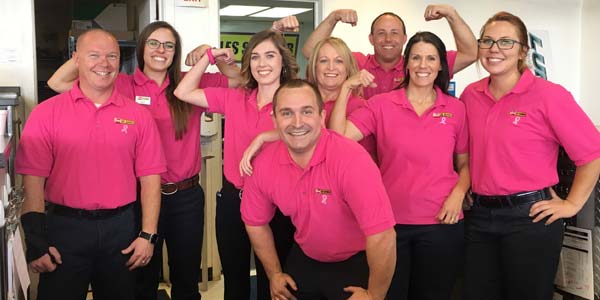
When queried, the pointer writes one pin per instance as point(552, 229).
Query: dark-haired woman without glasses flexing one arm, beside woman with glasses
point(422, 143)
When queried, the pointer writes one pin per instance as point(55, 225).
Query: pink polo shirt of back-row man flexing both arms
point(388, 80)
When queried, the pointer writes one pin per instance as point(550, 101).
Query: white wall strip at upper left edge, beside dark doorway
point(17, 34)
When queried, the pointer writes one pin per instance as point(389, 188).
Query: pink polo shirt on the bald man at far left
point(90, 156)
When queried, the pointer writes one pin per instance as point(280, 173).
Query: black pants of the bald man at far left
point(90, 249)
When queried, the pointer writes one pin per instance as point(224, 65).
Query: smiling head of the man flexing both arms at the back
point(387, 39)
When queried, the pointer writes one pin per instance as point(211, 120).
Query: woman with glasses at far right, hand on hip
point(517, 123)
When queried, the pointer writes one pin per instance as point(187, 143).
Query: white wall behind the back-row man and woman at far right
point(559, 18)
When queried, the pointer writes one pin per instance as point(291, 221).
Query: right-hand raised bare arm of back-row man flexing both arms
point(466, 45)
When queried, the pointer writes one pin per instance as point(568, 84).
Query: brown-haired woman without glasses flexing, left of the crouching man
point(266, 63)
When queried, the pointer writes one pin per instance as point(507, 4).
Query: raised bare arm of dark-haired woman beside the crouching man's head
point(338, 121)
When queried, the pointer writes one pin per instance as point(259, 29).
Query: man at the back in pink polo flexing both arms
point(388, 35)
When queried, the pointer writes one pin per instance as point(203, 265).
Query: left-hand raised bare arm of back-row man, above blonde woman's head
point(326, 27)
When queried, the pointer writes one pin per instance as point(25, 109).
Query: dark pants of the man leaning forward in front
point(326, 281)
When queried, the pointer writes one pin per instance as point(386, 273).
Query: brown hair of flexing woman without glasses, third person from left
point(289, 67)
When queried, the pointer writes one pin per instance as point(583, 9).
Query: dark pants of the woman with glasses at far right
point(508, 256)
